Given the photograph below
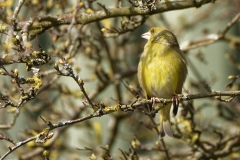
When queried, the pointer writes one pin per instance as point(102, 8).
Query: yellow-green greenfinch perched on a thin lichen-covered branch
point(162, 70)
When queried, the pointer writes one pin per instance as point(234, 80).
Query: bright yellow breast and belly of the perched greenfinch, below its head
point(159, 76)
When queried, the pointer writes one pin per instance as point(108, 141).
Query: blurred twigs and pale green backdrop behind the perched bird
point(105, 54)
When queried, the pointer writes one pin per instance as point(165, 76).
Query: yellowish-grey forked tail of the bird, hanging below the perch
point(165, 125)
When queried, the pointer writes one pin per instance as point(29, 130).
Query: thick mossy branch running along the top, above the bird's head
point(47, 22)
